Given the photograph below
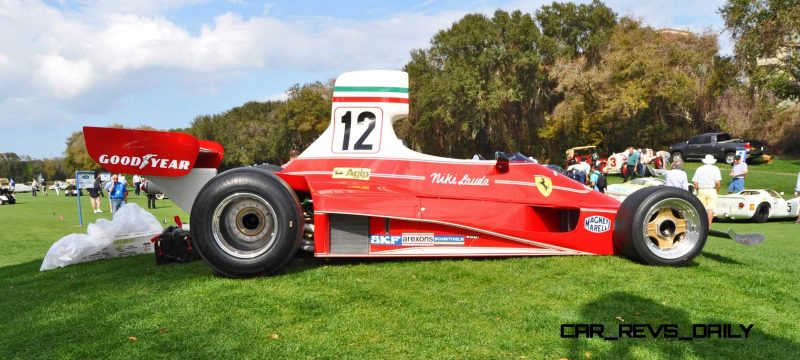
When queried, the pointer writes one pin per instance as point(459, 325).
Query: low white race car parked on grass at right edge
point(757, 205)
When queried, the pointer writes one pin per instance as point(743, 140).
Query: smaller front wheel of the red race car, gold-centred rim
point(661, 226)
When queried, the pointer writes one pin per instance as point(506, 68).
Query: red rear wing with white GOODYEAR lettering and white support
point(177, 163)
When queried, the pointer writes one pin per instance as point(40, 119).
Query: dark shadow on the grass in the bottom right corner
point(621, 308)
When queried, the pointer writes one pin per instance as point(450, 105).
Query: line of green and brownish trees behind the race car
point(567, 75)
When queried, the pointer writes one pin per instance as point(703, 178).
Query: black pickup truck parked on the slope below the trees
point(720, 145)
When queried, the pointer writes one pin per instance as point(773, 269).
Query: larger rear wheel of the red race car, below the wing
point(246, 222)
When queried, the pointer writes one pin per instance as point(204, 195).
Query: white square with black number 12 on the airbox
point(357, 124)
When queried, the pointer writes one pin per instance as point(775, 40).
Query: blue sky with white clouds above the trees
point(65, 64)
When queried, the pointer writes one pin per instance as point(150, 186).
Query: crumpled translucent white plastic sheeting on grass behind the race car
point(128, 233)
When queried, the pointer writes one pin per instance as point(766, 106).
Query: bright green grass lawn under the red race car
point(474, 308)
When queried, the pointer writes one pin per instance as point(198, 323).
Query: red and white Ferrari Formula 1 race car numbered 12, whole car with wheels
point(357, 191)
